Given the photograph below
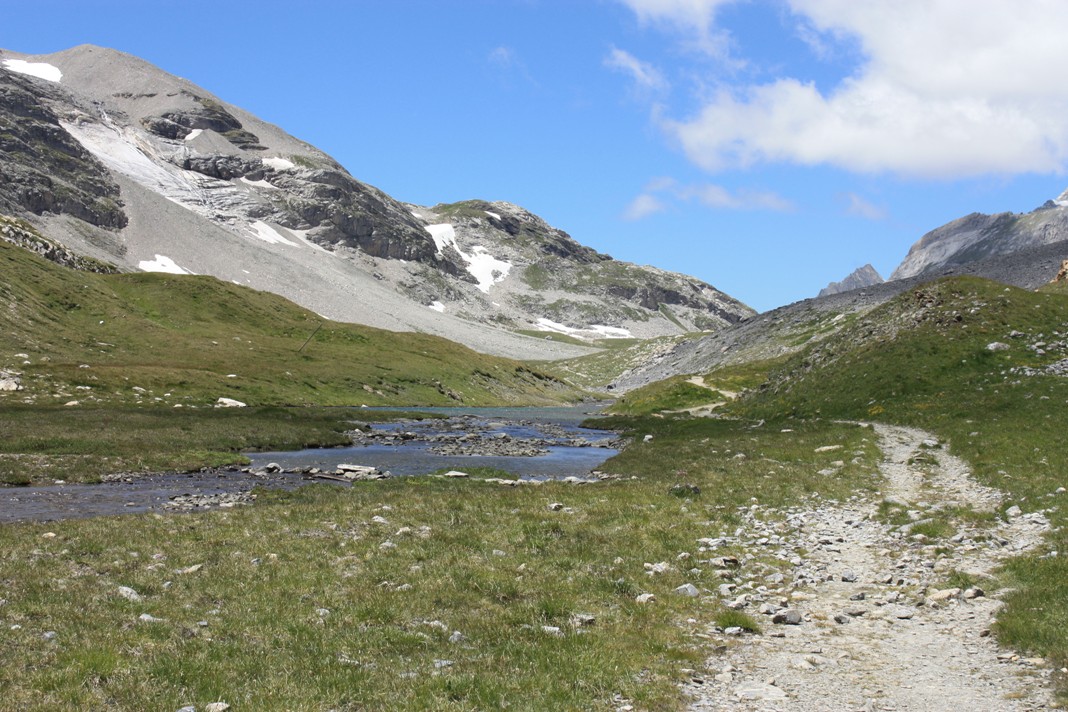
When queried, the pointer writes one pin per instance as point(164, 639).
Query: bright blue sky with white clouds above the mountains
point(766, 147)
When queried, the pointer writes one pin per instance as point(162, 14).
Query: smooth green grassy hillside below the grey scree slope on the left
point(176, 340)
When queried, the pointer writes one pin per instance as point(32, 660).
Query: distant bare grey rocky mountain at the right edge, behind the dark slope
point(977, 238)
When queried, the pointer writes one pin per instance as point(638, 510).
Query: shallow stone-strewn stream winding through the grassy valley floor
point(527, 449)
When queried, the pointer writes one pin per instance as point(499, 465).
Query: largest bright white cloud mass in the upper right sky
point(947, 89)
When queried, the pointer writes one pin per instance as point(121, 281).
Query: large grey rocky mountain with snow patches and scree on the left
point(122, 163)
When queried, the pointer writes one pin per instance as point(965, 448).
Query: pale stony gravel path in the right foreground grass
point(873, 632)
